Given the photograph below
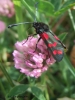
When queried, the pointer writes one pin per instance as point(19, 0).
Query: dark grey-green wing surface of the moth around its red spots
point(58, 47)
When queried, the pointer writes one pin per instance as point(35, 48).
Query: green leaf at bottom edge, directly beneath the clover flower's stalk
point(37, 93)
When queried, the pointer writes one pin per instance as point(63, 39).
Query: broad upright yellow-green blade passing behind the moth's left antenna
point(19, 18)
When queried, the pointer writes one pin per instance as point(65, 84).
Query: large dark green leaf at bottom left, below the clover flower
point(20, 89)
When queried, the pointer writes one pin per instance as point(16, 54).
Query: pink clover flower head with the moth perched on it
point(32, 62)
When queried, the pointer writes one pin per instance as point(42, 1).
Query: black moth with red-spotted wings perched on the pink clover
point(54, 45)
